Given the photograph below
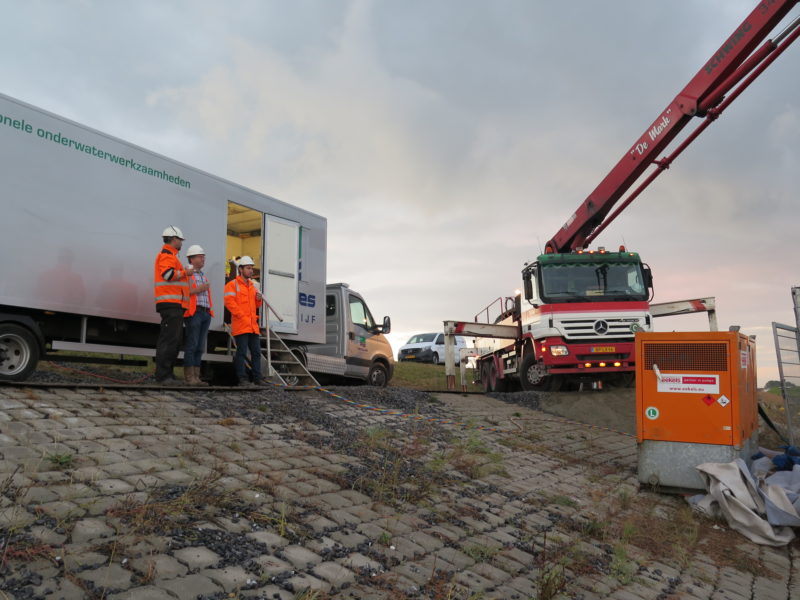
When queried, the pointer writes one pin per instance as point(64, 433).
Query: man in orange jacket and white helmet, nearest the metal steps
point(242, 299)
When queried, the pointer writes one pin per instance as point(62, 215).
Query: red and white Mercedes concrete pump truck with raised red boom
point(582, 307)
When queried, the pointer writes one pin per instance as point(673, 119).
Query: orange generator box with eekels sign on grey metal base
point(695, 403)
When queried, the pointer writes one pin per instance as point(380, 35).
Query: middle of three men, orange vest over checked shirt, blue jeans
point(197, 317)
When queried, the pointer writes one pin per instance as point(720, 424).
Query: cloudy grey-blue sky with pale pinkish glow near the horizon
point(445, 141)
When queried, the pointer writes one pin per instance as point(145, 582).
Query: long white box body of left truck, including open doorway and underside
point(80, 226)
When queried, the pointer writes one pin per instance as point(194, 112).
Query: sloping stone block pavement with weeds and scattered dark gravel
point(273, 494)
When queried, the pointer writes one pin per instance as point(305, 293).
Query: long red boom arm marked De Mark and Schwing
point(726, 68)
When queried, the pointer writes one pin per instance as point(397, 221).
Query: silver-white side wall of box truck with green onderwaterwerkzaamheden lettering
point(82, 214)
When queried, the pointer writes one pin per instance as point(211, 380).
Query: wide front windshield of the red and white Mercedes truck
point(592, 282)
